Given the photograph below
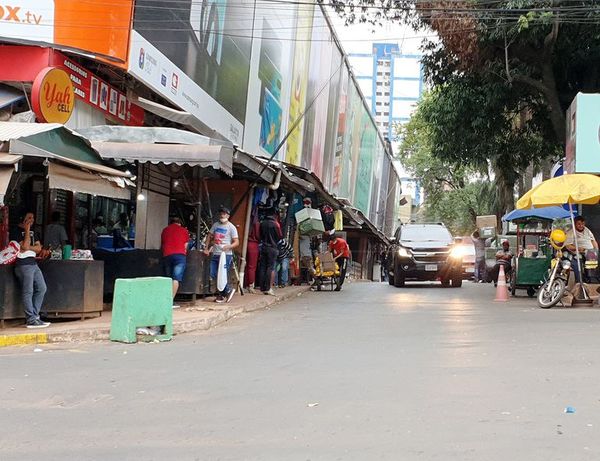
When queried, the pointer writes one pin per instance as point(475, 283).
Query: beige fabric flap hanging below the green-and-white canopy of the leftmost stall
point(77, 180)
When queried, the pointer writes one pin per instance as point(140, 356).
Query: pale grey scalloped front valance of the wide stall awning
point(217, 157)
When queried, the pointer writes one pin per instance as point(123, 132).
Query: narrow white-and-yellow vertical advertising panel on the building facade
point(299, 82)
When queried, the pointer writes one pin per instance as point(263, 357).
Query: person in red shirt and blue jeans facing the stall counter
point(174, 240)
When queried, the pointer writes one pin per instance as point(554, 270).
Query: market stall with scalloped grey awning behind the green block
point(179, 174)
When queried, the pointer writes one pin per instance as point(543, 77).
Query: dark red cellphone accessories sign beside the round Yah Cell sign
point(98, 93)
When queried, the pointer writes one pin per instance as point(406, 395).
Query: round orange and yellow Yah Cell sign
point(52, 96)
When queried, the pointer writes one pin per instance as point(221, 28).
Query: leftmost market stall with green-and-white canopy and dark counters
point(48, 170)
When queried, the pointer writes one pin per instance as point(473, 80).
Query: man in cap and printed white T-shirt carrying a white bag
point(222, 238)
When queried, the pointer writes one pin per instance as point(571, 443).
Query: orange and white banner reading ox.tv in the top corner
point(94, 27)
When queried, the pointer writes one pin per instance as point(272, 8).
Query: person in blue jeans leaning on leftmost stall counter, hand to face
point(30, 276)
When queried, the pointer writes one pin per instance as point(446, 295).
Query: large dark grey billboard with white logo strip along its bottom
point(207, 46)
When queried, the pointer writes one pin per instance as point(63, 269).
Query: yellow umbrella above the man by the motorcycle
point(575, 189)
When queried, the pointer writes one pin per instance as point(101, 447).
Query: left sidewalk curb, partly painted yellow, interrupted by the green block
point(179, 327)
